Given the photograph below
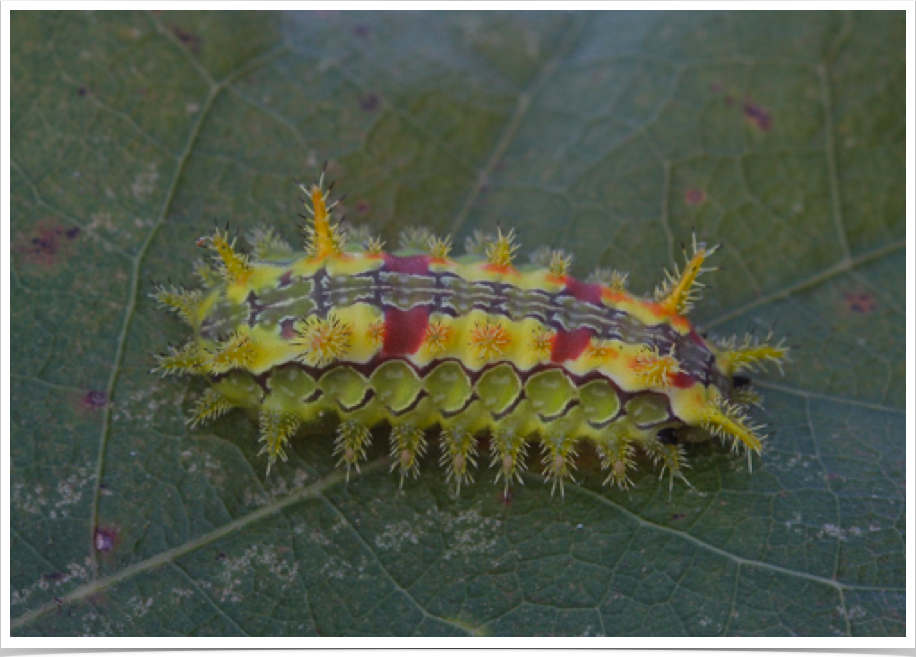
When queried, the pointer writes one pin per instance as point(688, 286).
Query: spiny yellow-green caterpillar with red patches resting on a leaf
point(418, 339)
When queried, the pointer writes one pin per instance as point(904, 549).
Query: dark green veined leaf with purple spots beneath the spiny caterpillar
point(610, 135)
